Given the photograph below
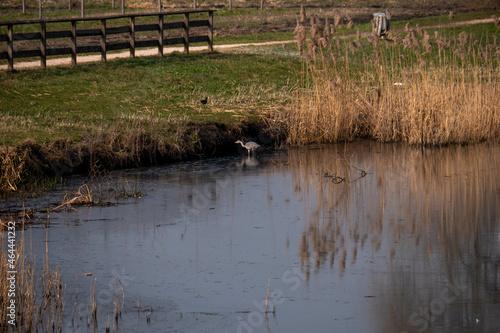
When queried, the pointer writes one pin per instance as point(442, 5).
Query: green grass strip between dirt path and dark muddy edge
point(71, 102)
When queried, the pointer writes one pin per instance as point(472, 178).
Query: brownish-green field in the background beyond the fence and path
point(246, 22)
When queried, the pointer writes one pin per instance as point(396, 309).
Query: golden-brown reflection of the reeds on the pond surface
point(432, 214)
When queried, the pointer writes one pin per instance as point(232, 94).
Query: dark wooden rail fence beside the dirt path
point(103, 32)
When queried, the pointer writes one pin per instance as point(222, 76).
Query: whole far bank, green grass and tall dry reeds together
point(149, 110)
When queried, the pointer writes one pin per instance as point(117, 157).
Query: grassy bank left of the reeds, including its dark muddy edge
point(134, 112)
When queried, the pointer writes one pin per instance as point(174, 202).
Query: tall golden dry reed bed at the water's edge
point(413, 88)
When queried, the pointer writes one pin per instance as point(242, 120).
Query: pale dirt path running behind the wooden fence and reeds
point(154, 51)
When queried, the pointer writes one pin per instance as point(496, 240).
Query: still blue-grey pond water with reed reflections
point(360, 237)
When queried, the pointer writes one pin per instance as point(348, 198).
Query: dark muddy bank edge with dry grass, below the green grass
point(24, 166)
